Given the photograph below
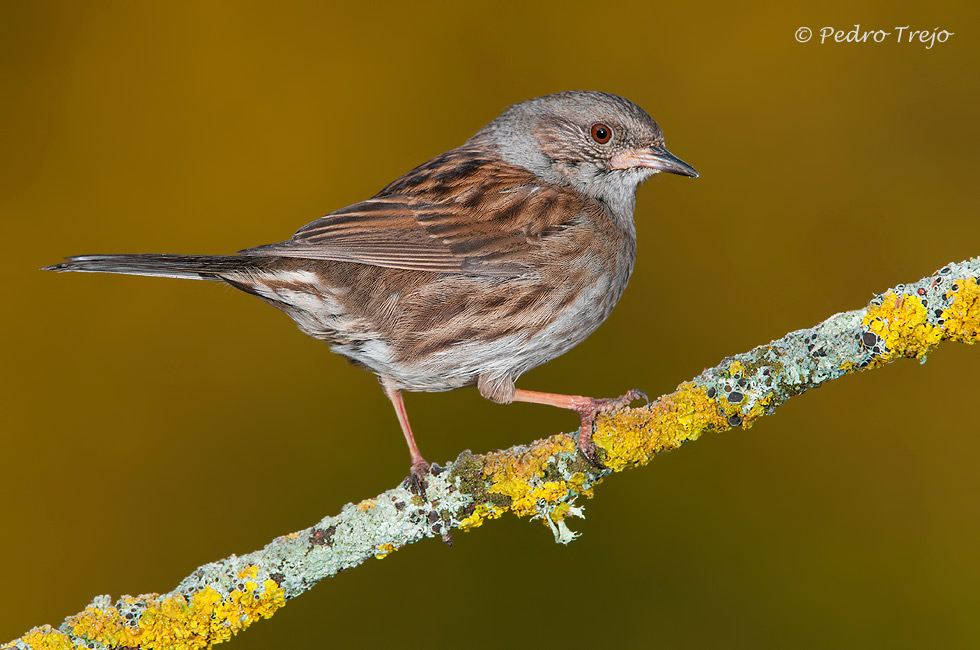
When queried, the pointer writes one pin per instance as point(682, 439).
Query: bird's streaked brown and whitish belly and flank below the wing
point(447, 333)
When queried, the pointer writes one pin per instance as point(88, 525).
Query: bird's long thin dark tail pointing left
point(192, 267)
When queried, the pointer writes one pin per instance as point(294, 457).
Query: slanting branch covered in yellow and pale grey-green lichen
point(544, 480)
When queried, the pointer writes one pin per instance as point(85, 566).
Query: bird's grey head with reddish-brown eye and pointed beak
point(597, 143)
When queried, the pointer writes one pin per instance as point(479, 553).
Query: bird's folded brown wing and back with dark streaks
point(454, 214)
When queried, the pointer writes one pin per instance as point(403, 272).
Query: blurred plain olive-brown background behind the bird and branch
point(137, 413)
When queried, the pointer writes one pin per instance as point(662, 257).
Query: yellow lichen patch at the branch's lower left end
point(173, 622)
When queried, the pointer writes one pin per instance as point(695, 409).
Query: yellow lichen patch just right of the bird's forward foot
point(634, 437)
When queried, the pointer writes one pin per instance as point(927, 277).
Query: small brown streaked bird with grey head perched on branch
point(472, 268)
